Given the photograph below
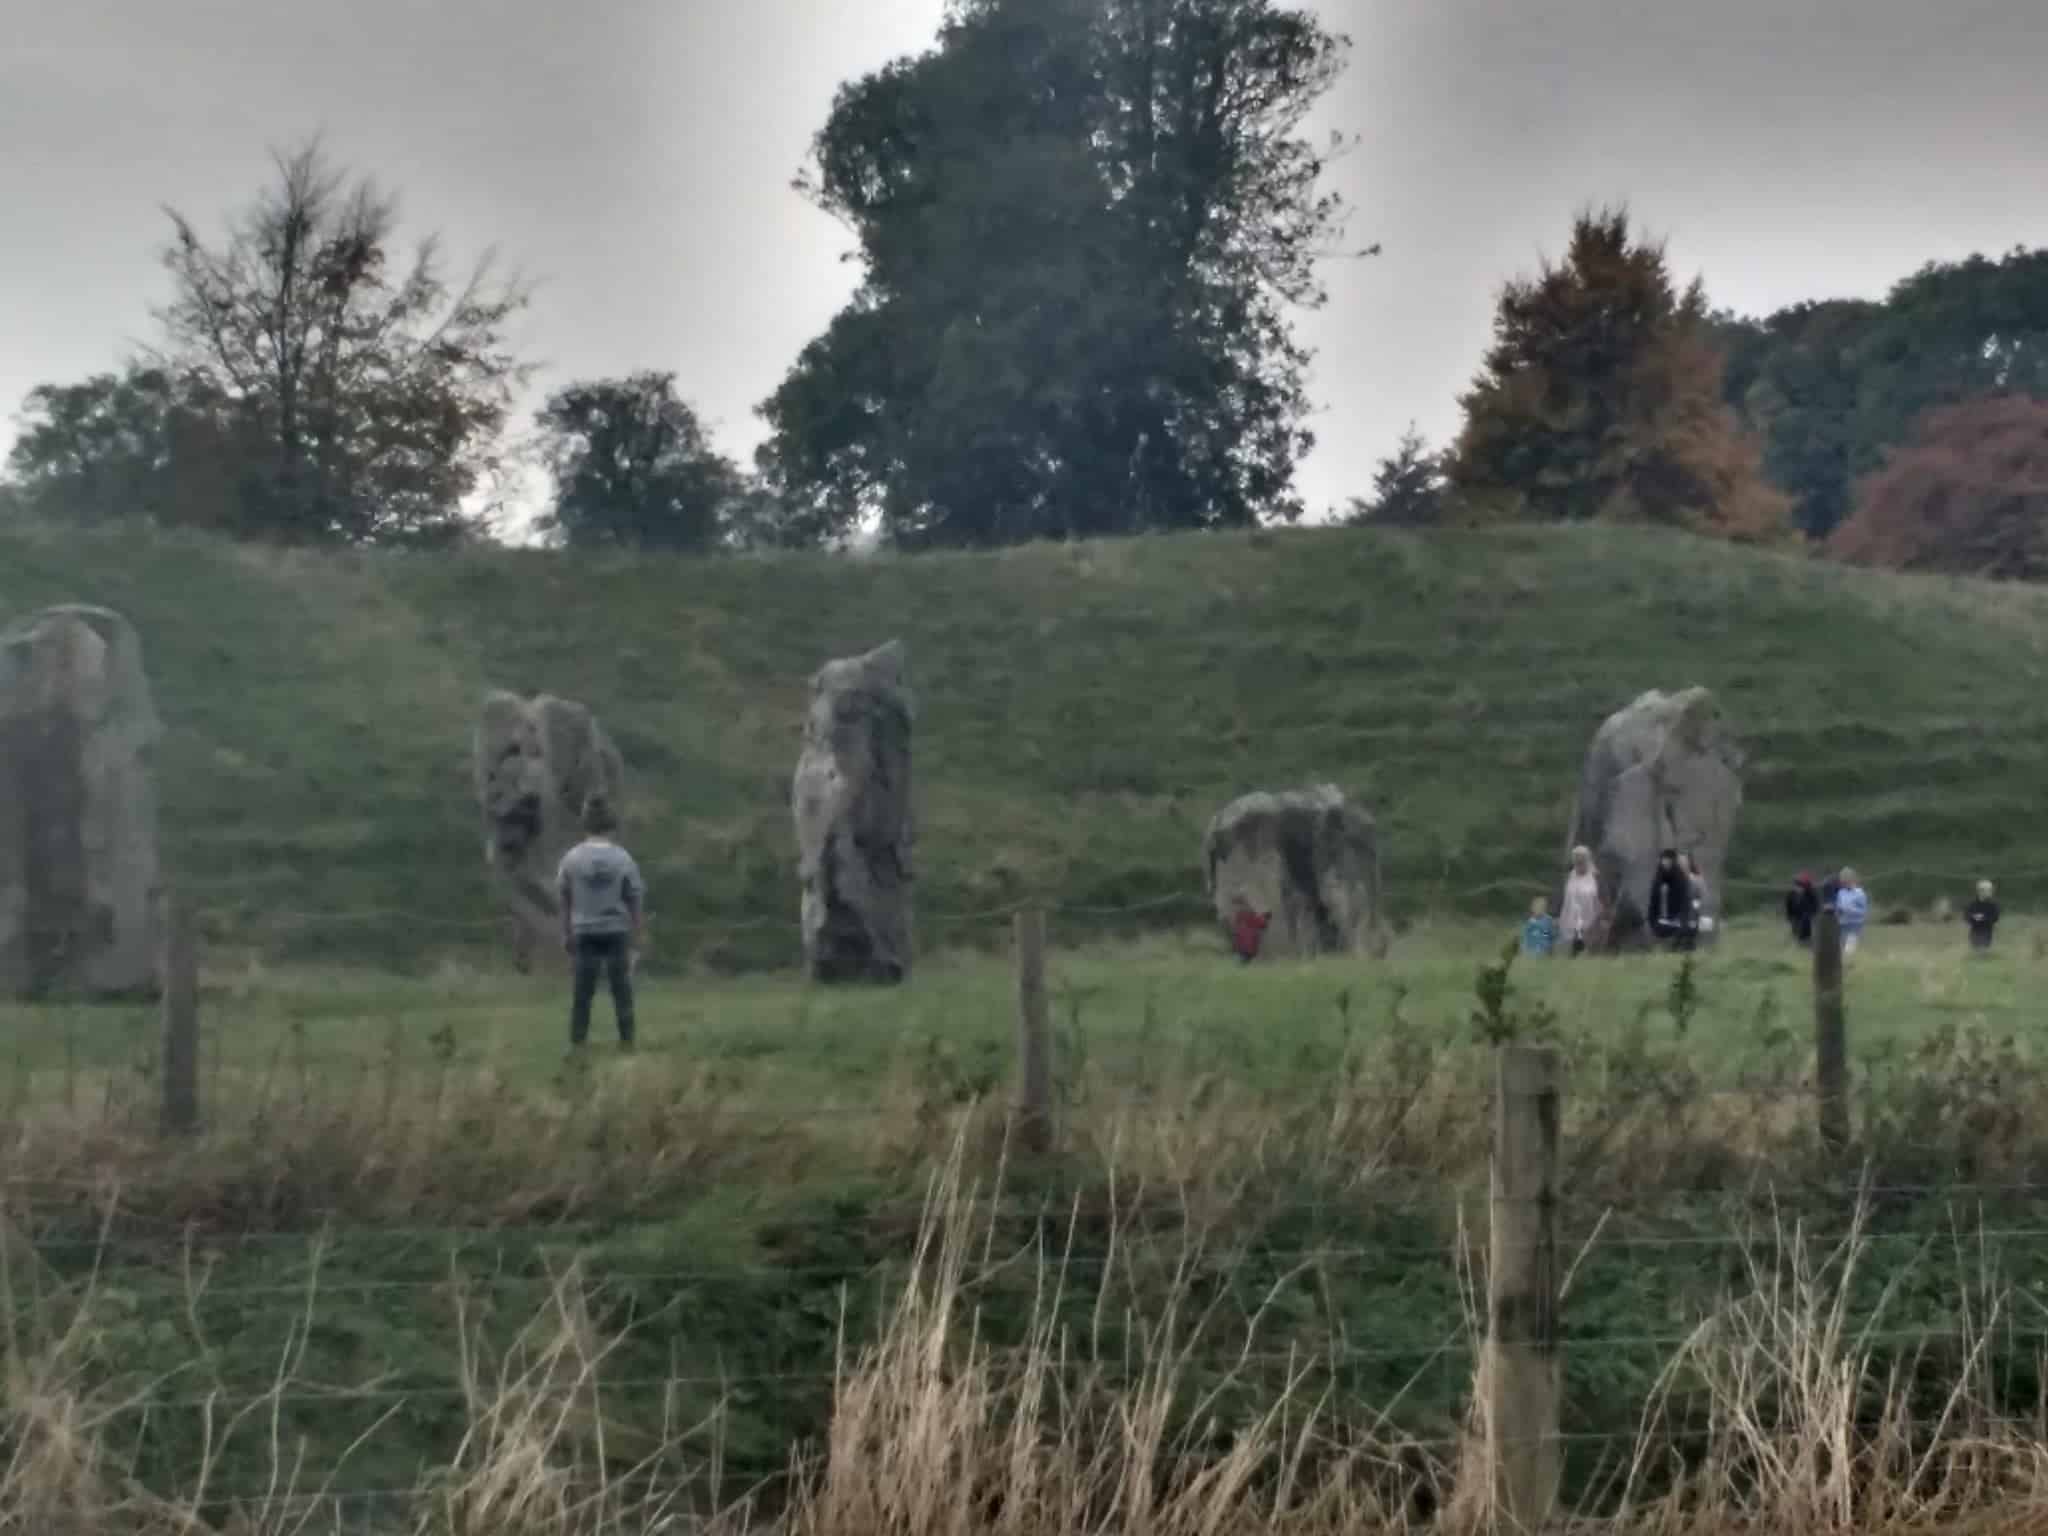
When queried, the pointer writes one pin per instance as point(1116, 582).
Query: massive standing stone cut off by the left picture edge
point(79, 863)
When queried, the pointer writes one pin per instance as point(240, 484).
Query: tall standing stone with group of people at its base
point(1662, 773)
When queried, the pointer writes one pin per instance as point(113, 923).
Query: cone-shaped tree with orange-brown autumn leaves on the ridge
point(1601, 398)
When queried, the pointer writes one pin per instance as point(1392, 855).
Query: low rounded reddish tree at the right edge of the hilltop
point(1967, 493)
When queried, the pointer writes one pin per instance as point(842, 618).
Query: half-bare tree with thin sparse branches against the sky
point(370, 390)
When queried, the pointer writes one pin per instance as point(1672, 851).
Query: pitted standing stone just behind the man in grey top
point(536, 765)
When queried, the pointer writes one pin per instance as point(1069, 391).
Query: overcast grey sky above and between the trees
point(636, 159)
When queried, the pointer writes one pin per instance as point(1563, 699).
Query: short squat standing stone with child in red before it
point(1310, 861)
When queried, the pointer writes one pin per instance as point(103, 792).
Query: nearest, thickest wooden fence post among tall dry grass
point(1521, 1371)
